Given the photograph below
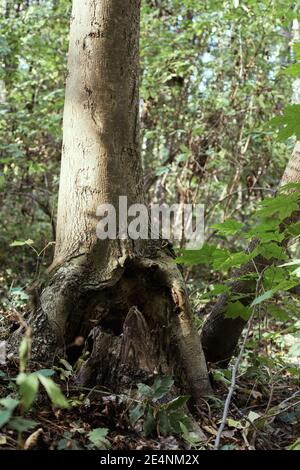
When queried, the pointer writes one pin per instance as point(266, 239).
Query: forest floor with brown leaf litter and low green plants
point(264, 412)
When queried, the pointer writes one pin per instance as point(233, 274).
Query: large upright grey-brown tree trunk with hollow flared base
point(127, 297)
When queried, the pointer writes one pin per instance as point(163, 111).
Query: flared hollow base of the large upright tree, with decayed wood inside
point(137, 324)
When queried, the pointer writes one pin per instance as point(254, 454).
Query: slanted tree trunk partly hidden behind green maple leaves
point(220, 335)
